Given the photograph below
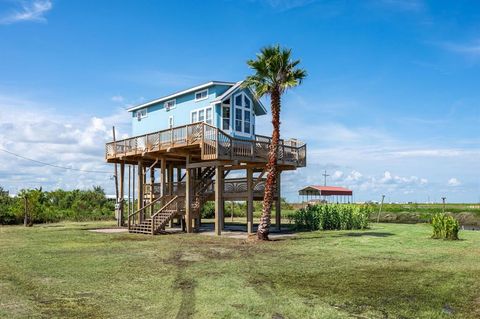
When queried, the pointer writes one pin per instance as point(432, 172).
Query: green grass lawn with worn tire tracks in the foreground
point(389, 271)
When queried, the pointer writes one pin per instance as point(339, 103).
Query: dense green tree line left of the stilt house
point(39, 206)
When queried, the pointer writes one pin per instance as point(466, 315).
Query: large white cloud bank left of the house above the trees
point(38, 132)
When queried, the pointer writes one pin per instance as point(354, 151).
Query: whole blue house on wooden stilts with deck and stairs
point(184, 147)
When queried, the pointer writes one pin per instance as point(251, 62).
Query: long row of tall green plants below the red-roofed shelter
point(332, 217)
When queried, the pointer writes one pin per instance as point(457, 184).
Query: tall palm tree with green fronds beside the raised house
point(274, 73)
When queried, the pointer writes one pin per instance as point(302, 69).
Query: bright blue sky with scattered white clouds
point(391, 104)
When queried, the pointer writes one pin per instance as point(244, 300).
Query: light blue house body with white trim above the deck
point(225, 105)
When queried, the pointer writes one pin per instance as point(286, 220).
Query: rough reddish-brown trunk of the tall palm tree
point(265, 220)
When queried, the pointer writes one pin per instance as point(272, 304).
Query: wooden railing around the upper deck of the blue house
point(214, 144)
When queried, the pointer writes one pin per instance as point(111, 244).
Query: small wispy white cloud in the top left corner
point(34, 10)
